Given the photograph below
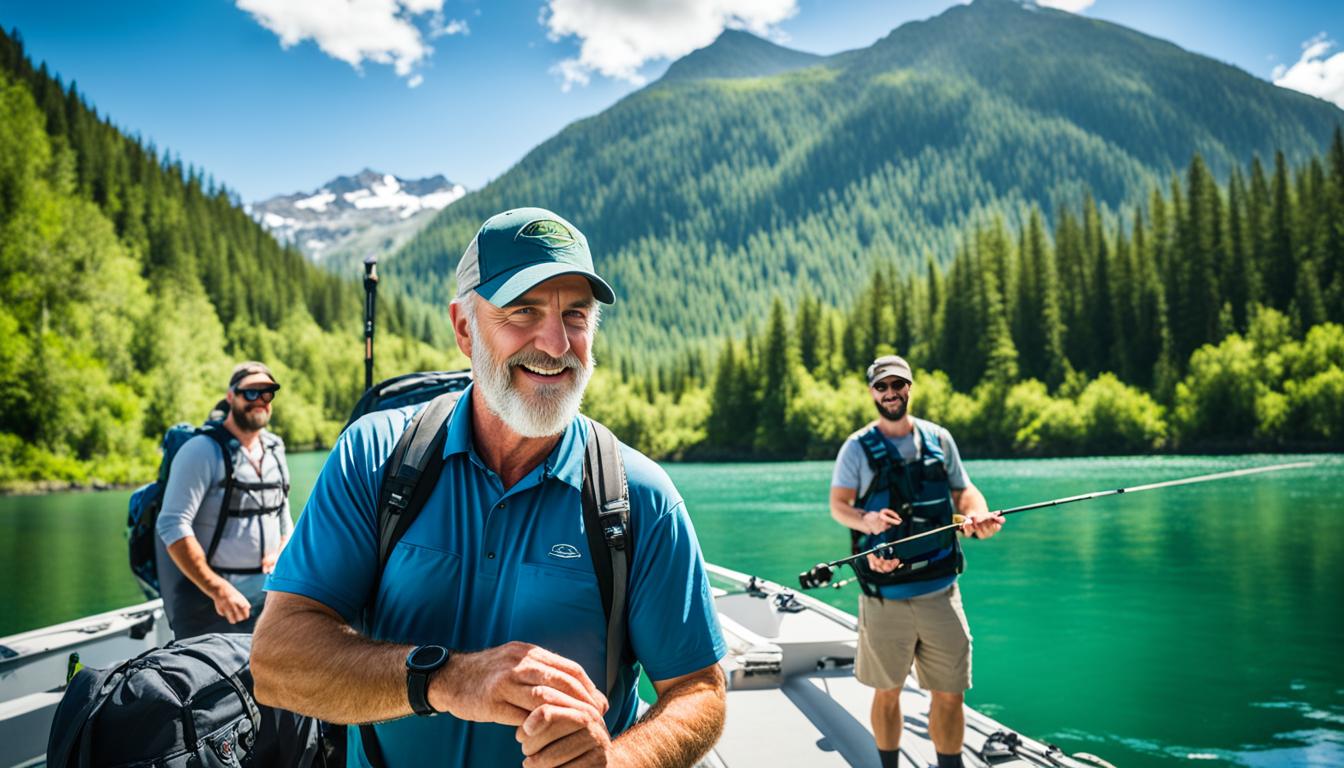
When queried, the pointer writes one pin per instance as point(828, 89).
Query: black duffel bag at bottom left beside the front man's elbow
point(186, 704)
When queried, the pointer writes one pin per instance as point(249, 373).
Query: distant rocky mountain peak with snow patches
point(353, 217)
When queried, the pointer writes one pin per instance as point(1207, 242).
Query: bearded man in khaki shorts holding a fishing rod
point(897, 478)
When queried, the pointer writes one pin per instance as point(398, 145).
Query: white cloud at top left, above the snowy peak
point(354, 32)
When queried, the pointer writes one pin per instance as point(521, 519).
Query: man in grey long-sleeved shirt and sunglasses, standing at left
point(225, 513)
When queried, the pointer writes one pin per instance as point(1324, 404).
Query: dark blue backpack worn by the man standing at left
point(146, 502)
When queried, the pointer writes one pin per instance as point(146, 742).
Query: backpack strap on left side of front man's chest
point(411, 475)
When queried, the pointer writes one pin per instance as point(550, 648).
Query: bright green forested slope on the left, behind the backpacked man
point(130, 284)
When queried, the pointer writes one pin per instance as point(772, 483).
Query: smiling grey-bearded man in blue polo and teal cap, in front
point(487, 638)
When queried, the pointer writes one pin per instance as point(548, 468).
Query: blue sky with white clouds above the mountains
point(466, 88)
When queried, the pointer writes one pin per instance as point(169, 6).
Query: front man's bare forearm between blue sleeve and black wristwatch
point(311, 662)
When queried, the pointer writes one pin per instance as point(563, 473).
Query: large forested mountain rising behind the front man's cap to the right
point(708, 192)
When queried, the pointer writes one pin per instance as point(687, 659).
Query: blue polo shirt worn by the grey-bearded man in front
point(482, 567)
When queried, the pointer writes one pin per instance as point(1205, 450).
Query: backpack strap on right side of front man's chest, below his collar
point(607, 519)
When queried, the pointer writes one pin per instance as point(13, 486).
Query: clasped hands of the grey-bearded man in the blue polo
point(553, 703)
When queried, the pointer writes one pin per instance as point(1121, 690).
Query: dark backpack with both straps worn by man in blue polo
point(413, 469)
